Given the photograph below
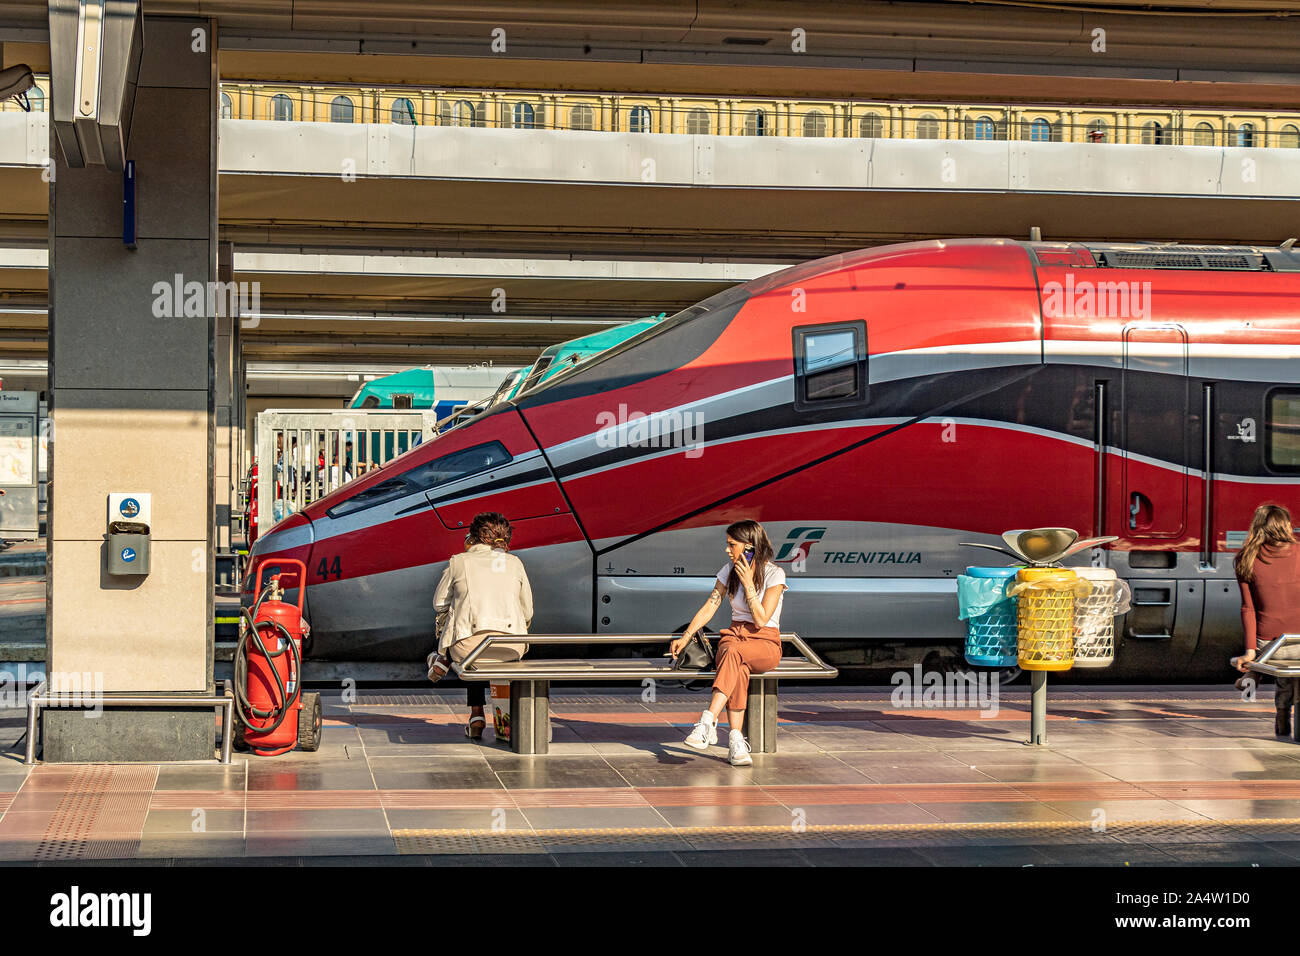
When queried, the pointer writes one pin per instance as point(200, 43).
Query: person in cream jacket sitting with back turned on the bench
point(483, 592)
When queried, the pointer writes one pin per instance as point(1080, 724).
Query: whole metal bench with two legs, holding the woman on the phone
point(531, 682)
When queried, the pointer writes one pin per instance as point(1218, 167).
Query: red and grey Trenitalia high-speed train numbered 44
point(873, 410)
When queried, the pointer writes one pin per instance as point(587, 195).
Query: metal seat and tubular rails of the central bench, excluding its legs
point(470, 671)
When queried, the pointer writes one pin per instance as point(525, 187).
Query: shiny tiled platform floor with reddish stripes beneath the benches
point(1132, 777)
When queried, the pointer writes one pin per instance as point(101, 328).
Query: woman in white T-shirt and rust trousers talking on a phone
point(753, 642)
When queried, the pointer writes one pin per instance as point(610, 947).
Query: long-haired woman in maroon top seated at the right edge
point(1268, 570)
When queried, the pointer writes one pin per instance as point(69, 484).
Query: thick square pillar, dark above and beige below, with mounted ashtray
point(132, 406)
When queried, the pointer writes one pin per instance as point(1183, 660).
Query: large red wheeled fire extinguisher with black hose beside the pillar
point(274, 713)
